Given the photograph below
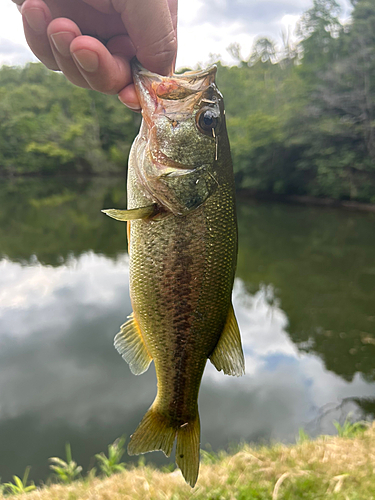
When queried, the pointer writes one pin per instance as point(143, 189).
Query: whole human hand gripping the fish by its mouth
point(93, 41)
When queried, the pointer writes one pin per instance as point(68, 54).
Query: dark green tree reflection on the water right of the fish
point(322, 265)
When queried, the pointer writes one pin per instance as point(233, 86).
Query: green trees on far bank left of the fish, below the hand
point(48, 126)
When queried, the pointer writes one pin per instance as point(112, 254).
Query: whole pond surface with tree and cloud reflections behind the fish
point(304, 297)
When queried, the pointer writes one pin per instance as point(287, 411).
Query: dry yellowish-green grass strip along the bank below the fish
point(337, 468)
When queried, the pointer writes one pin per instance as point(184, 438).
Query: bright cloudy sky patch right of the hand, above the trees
point(207, 27)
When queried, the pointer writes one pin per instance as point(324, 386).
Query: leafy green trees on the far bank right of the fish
point(301, 118)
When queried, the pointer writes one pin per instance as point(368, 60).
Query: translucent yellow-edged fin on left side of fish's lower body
point(130, 344)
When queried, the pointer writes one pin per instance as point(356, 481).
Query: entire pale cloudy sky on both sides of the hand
point(206, 28)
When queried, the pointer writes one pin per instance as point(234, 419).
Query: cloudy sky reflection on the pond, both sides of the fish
point(62, 380)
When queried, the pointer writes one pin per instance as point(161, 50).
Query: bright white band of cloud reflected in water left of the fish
point(38, 287)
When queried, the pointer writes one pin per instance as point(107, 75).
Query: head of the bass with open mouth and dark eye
point(181, 138)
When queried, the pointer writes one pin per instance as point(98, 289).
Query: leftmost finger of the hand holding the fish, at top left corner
point(36, 17)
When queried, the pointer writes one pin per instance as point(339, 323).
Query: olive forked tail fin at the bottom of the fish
point(155, 433)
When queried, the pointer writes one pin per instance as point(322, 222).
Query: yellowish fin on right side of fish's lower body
point(228, 354)
